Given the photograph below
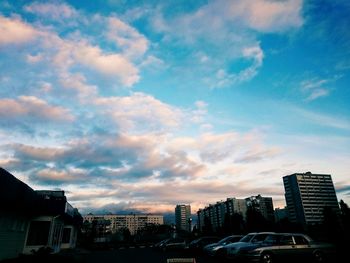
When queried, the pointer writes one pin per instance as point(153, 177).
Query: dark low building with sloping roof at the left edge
point(32, 219)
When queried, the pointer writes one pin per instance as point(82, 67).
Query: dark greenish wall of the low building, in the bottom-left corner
point(13, 230)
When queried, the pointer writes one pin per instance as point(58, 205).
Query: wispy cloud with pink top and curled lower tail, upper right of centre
point(233, 25)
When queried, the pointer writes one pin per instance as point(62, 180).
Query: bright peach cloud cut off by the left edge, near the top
point(15, 31)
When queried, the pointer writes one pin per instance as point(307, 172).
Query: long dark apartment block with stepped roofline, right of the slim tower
point(216, 213)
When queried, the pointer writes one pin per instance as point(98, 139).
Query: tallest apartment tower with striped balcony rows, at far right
point(307, 195)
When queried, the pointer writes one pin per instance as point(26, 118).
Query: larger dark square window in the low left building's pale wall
point(38, 233)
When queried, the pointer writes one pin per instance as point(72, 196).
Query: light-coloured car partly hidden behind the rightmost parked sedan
point(251, 240)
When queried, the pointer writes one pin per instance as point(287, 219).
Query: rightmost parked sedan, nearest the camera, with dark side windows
point(290, 247)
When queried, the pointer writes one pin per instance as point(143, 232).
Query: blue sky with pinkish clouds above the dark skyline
point(142, 105)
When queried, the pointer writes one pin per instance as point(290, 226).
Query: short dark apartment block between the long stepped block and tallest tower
point(262, 204)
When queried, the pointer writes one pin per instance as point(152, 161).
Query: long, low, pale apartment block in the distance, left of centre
point(132, 222)
